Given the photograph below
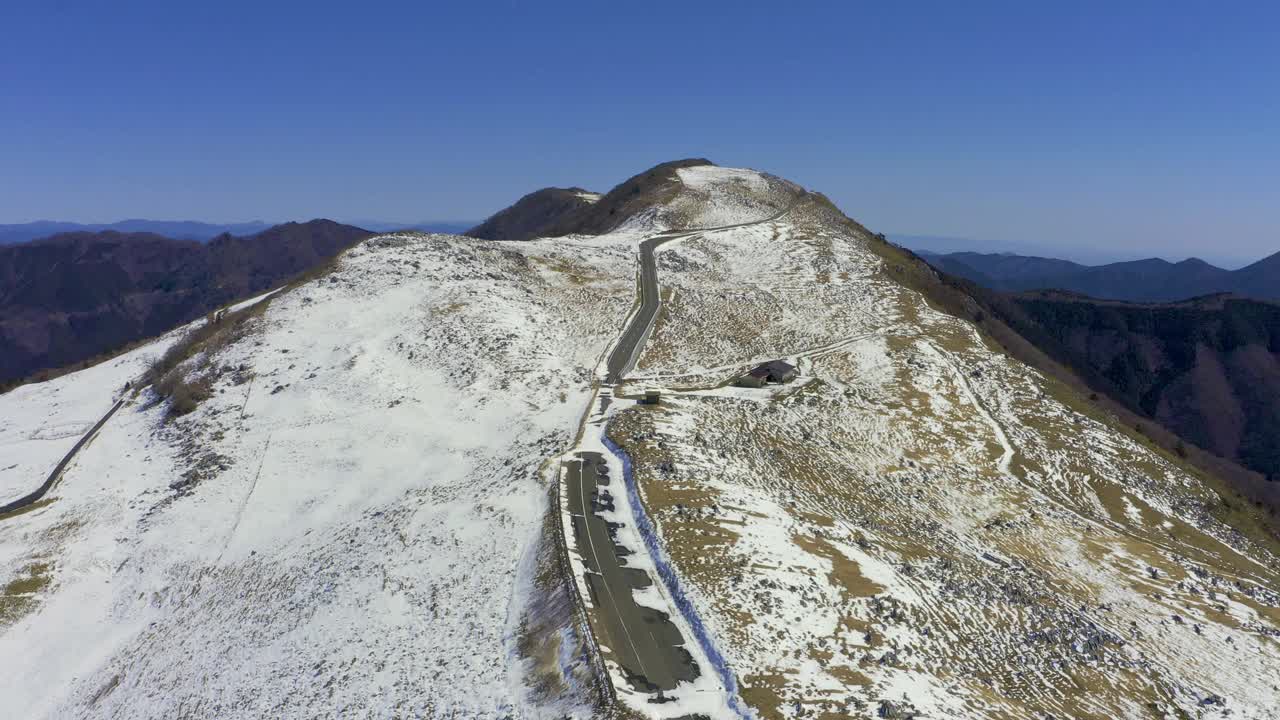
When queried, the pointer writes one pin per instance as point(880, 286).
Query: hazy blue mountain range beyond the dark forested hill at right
point(1139, 281)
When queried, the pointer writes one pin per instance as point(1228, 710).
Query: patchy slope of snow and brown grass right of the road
point(920, 522)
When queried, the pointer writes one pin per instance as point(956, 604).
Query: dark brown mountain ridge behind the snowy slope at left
point(72, 297)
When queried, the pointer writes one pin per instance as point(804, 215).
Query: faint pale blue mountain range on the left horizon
point(200, 231)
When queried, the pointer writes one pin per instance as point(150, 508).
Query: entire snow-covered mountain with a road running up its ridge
point(382, 507)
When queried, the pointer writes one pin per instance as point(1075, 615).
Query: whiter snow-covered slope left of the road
point(368, 490)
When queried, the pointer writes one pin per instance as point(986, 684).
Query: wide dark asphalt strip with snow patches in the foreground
point(644, 641)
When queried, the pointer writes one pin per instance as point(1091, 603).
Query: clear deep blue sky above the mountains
point(1146, 130)
